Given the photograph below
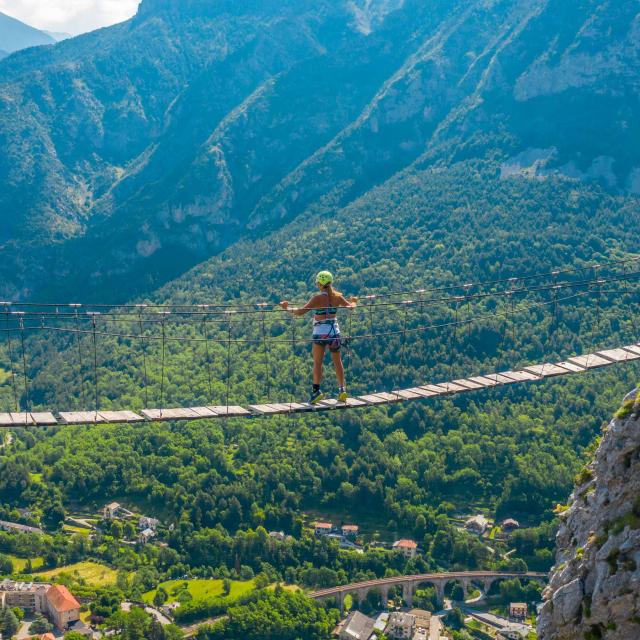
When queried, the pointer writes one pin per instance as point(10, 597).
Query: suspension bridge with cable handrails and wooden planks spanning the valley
point(214, 329)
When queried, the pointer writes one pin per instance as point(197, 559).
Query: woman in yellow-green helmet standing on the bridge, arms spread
point(326, 331)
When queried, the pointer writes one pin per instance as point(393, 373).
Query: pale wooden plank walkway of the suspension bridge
point(532, 373)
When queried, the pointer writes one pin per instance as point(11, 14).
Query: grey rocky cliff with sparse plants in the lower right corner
point(594, 591)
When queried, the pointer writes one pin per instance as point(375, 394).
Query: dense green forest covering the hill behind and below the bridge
point(407, 470)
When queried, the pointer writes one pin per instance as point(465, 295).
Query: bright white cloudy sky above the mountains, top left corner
point(69, 16)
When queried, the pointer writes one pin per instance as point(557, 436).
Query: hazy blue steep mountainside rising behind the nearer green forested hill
point(164, 139)
